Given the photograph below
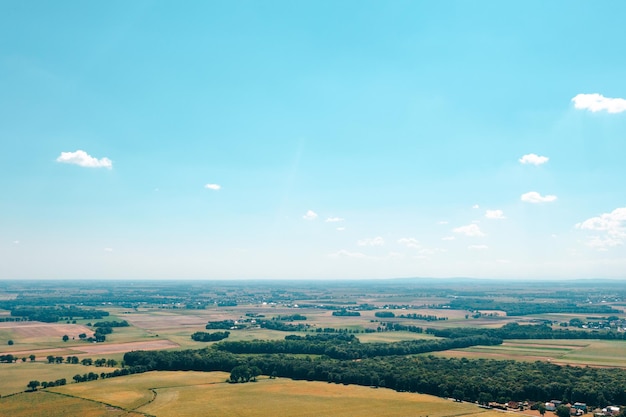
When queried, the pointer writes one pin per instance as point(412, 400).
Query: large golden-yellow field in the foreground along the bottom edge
point(165, 394)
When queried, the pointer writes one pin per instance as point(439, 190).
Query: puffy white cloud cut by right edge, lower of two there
point(613, 226)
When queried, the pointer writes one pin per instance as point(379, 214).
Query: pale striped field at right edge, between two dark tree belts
point(567, 352)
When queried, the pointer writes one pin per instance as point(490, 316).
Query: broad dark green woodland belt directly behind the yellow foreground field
point(464, 379)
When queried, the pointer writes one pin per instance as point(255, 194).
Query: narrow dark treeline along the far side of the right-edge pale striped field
point(515, 331)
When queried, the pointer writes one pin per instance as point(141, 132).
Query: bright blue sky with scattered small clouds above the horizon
point(314, 139)
